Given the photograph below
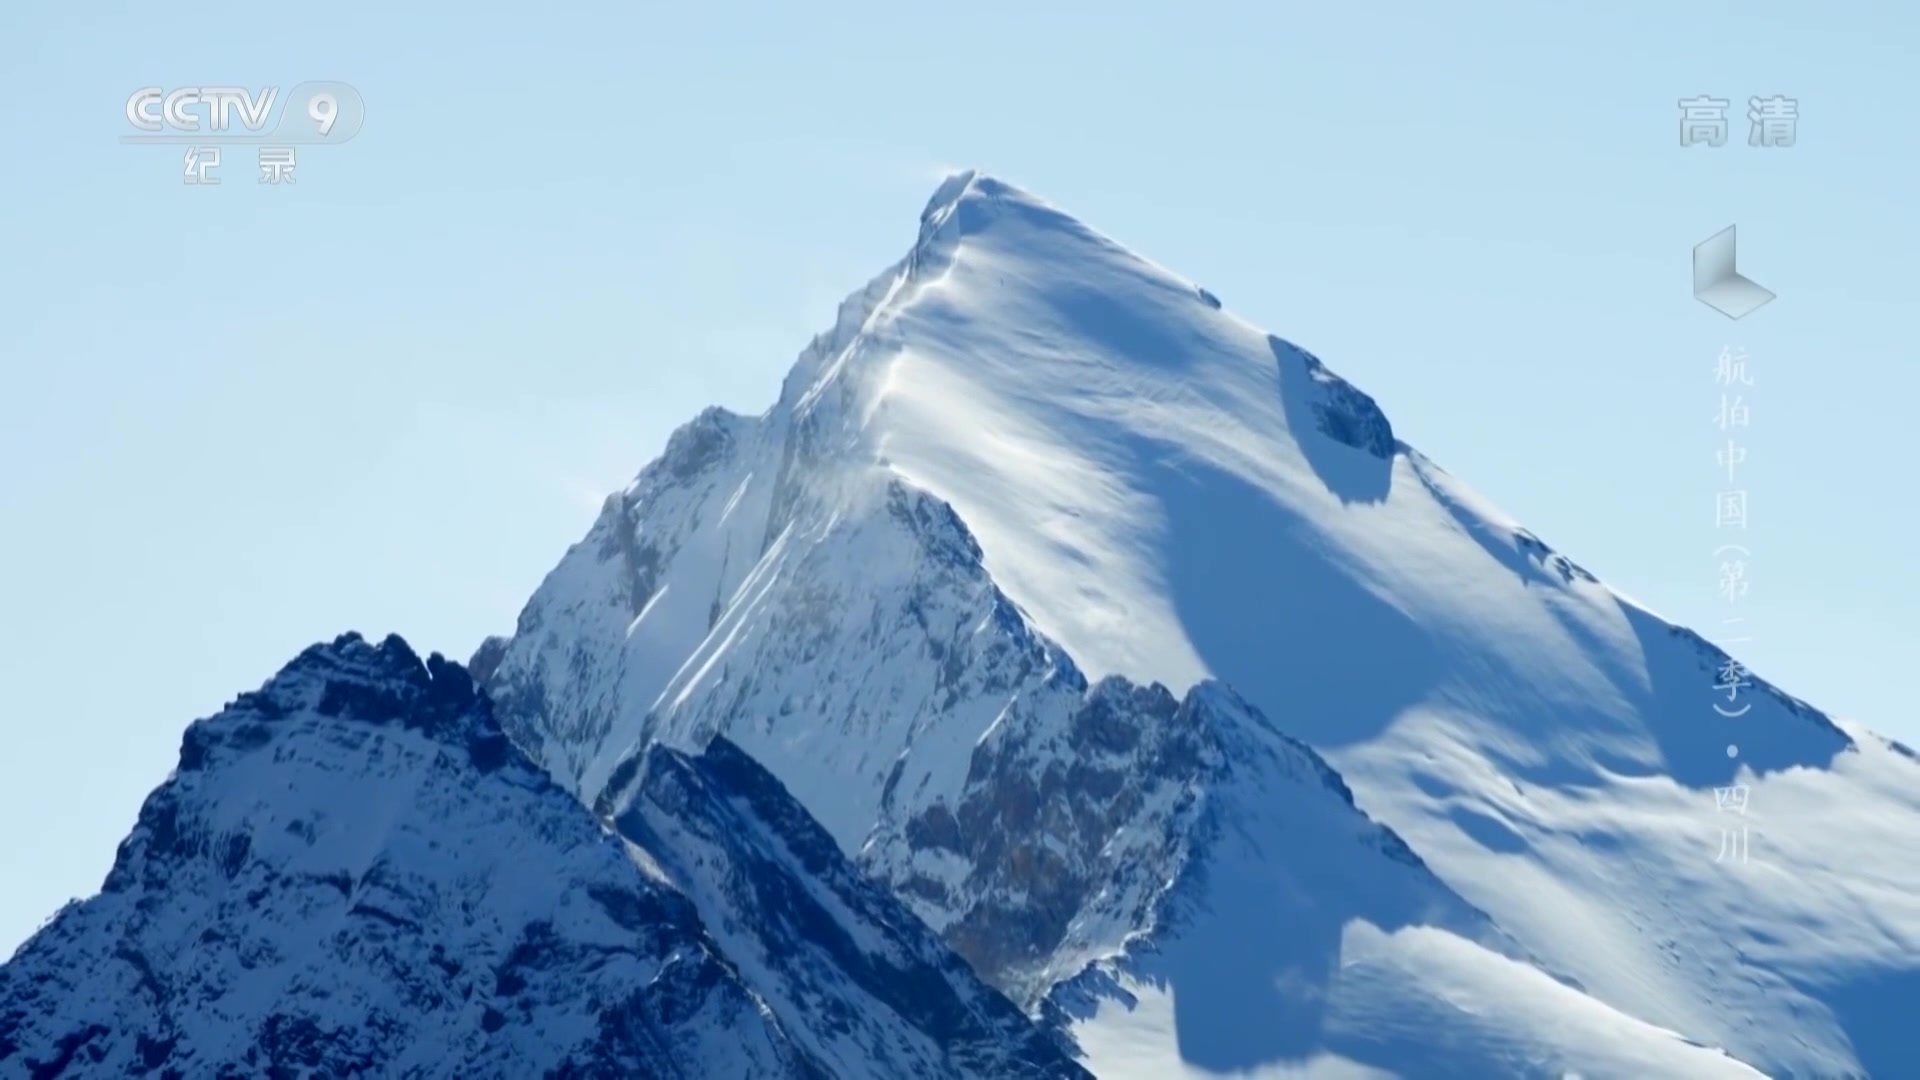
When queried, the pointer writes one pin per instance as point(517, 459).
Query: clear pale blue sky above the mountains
point(241, 420)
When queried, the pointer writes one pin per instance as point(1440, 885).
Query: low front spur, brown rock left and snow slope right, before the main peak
point(1218, 906)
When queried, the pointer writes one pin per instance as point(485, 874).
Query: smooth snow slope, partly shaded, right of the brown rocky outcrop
point(1303, 939)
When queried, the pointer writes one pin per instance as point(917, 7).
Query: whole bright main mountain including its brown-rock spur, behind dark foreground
point(1042, 579)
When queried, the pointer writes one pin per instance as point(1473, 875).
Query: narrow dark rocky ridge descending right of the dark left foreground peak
point(792, 910)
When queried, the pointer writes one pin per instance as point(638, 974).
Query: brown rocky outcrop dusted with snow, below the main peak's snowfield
point(1080, 827)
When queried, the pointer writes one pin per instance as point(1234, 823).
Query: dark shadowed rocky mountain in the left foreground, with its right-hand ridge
point(354, 873)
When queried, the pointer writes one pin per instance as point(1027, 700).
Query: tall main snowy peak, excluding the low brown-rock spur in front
point(1026, 454)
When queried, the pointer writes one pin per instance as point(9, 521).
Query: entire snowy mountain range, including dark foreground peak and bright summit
point(1061, 677)
